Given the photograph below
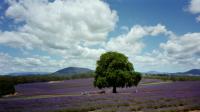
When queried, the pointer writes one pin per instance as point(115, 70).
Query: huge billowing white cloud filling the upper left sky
point(58, 25)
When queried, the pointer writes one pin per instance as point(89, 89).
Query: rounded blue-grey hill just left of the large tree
point(73, 70)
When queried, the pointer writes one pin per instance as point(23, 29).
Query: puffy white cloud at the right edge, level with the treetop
point(183, 48)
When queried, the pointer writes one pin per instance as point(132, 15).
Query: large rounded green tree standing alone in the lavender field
point(114, 70)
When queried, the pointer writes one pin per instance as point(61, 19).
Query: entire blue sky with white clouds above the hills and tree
point(47, 35)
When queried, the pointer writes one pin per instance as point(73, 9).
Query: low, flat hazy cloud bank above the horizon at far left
point(34, 63)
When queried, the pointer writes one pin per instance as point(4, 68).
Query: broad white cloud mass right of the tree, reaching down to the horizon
point(177, 54)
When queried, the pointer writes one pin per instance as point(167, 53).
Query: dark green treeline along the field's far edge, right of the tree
point(166, 77)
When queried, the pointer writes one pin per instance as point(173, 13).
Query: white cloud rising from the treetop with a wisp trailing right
point(130, 43)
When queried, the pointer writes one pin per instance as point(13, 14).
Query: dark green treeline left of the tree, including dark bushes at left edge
point(7, 82)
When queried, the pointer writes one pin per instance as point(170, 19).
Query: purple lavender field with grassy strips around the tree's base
point(153, 95)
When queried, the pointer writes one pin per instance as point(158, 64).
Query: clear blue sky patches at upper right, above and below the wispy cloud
point(173, 14)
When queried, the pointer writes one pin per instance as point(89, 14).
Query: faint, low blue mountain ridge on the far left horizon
point(27, 73)
